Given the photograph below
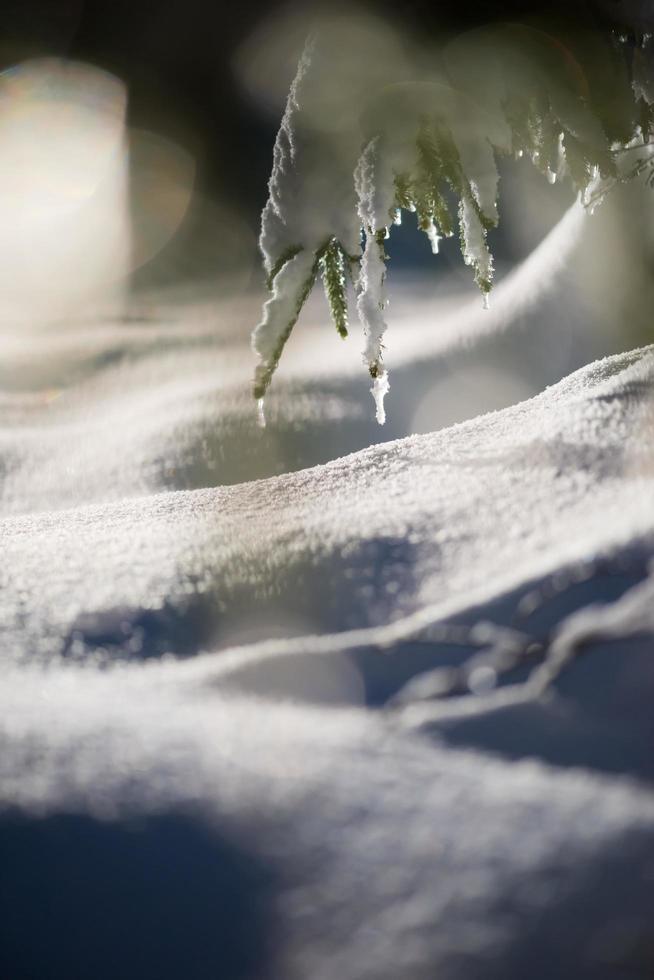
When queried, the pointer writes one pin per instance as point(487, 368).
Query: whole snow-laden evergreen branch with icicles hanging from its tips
point(357, 148)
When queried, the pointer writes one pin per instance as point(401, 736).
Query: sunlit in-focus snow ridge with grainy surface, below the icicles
point(468, 496)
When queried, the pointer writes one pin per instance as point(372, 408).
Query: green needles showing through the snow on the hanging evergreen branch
point(437, 174)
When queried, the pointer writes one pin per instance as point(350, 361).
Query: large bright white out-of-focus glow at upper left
point(64, 223)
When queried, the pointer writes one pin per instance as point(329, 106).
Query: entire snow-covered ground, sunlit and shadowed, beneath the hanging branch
point(272, 710)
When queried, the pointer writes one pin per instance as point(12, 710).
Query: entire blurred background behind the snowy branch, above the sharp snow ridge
point(135, 149)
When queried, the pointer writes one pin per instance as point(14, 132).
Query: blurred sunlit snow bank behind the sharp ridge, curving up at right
point(176, 386)
